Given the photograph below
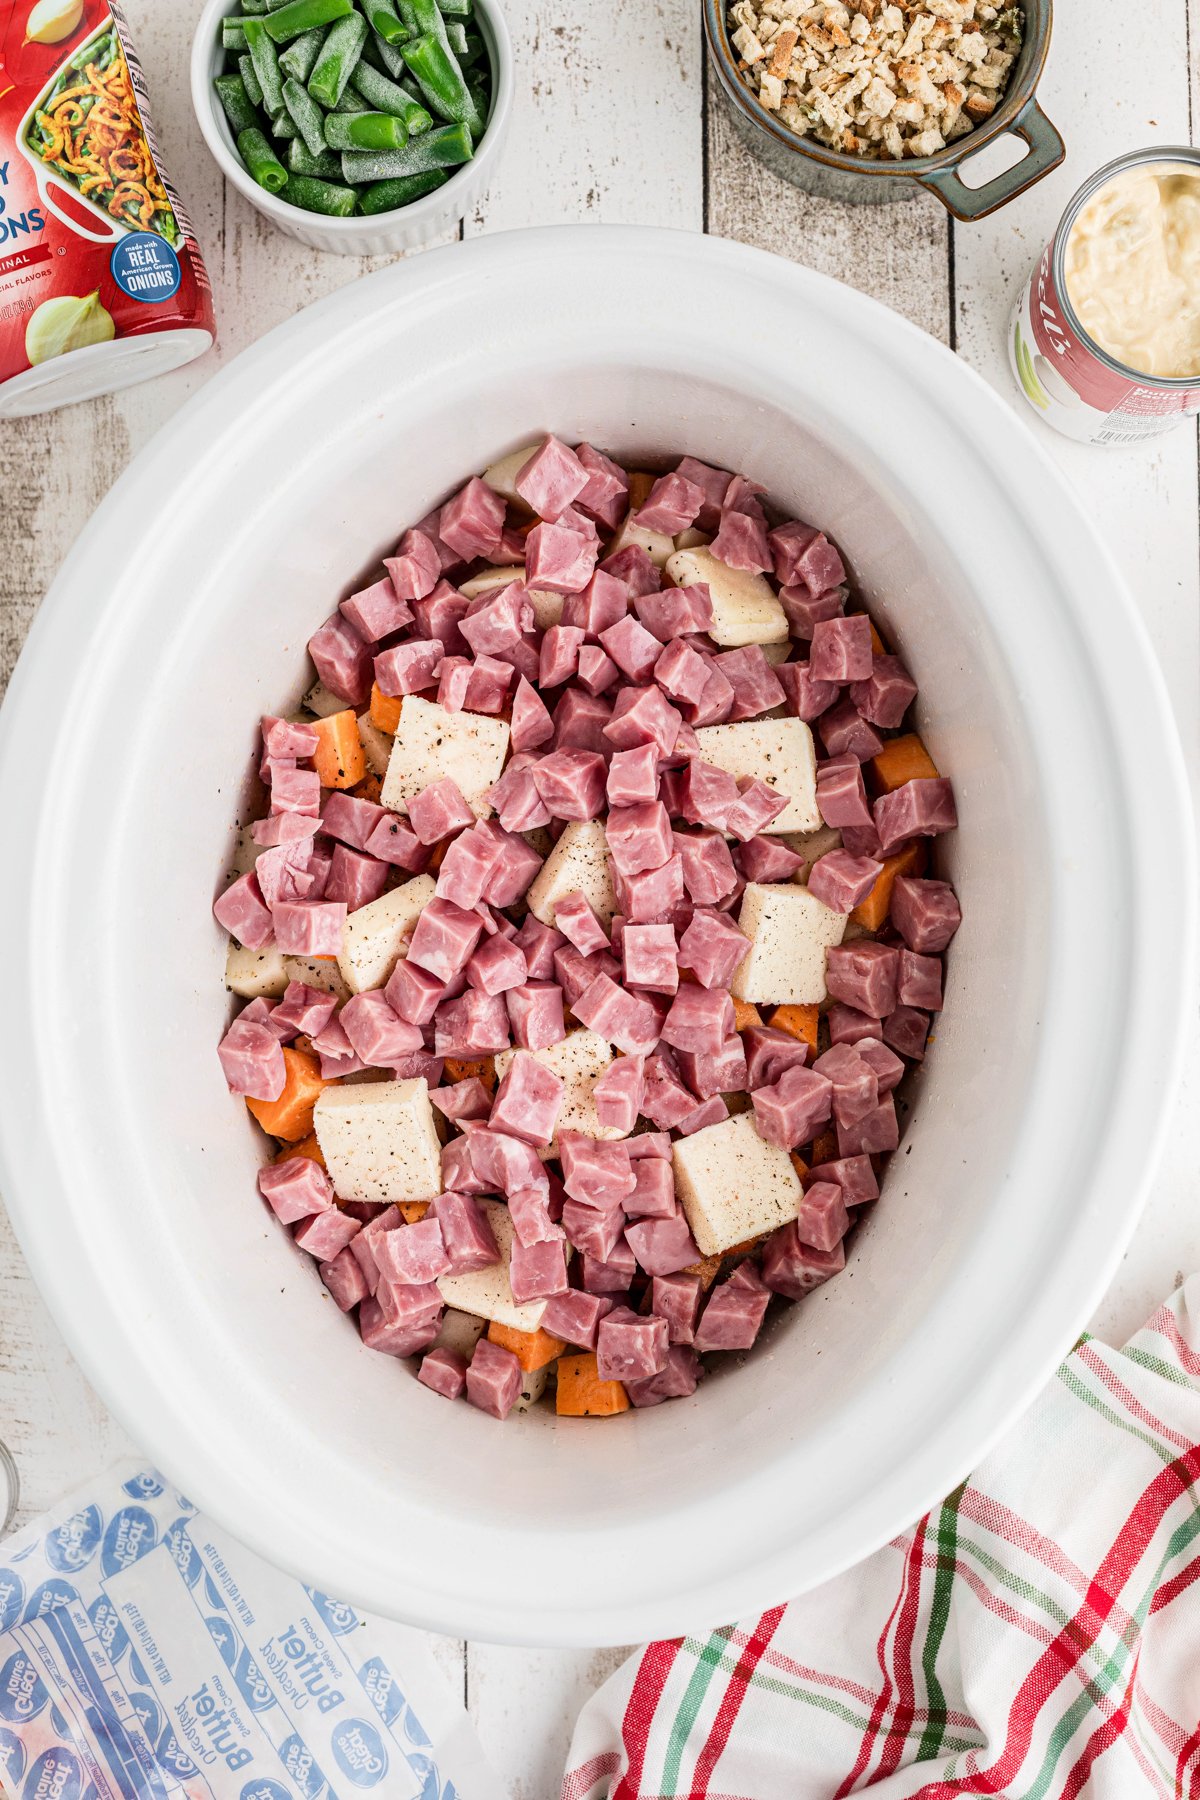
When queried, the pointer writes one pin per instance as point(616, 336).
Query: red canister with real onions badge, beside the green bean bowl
point(102, 280)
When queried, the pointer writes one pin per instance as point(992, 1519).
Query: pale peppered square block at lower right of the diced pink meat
point(733, 1185)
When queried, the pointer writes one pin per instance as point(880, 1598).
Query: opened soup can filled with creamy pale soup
point(1106, 337)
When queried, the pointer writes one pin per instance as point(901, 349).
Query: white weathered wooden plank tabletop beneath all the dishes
point(614, 129)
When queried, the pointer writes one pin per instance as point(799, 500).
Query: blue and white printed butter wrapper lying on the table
point(145, 1655)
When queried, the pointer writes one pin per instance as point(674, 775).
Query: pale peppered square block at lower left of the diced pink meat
point(379, 1140)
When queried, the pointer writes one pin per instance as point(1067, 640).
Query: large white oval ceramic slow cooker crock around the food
point(125, 755)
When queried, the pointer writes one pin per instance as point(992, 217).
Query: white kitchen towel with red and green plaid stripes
point(1035, 1637)
